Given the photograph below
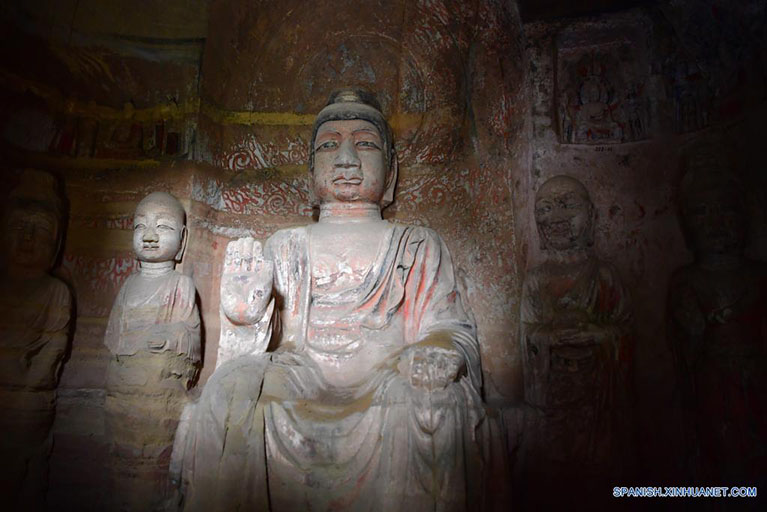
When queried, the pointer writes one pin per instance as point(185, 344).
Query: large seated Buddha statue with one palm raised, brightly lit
point(351, 373)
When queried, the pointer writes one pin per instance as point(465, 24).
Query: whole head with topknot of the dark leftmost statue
point(32, 225)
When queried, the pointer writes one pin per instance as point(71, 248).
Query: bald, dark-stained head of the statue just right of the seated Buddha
point(564, 214)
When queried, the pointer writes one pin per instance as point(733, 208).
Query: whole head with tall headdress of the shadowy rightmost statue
point(712, 205)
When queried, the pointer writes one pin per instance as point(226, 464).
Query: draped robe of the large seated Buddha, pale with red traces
point(326, 421)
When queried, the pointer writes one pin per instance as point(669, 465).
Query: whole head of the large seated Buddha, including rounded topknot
point(352, 158)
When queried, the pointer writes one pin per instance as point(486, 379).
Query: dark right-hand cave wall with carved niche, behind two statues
point(672, 76)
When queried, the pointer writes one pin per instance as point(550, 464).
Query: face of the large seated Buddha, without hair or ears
point(349, 162)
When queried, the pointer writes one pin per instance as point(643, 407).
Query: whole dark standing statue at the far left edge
point(34, 332)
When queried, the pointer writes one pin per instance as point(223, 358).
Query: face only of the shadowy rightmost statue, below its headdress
point(715, 221)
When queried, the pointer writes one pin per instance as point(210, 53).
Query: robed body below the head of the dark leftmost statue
point(34, 332)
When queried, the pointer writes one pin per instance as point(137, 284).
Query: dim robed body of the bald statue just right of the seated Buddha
point(579, 391)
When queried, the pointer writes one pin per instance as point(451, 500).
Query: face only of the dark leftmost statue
point(31, 239)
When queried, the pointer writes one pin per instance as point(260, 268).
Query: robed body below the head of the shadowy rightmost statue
point(719, 339)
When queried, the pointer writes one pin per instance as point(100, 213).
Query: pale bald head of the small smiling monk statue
point(159, 230)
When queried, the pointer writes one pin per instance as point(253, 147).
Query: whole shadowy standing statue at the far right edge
point(718, 310)
